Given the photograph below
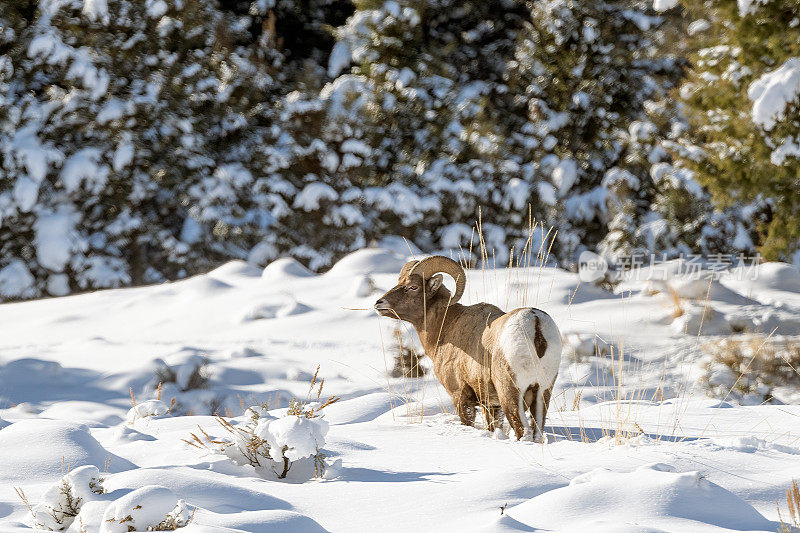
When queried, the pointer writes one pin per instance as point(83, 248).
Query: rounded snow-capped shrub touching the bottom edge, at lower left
point(150, 508)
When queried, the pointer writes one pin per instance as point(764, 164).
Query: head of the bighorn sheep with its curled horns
point(419, 287)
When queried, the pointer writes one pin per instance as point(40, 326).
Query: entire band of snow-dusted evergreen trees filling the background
point(146, 141)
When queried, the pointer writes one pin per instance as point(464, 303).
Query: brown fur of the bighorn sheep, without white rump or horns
point(461, 352)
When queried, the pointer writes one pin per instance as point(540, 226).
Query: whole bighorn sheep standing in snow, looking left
point(481, 355)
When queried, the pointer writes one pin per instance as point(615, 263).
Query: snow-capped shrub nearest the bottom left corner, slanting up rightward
point(62, 502)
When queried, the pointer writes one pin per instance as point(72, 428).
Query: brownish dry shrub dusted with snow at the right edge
point(753, 369)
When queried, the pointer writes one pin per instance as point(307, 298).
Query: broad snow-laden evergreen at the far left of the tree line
point(120, 119)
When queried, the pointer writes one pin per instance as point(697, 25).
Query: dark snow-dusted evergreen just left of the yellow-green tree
point(586, 70)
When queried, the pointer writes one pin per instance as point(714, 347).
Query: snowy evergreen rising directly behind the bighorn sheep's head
point(428, 92)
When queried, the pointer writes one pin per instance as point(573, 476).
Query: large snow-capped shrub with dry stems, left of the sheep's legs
point(271, 444)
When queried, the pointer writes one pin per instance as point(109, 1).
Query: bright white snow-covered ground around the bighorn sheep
point(634, 444)
